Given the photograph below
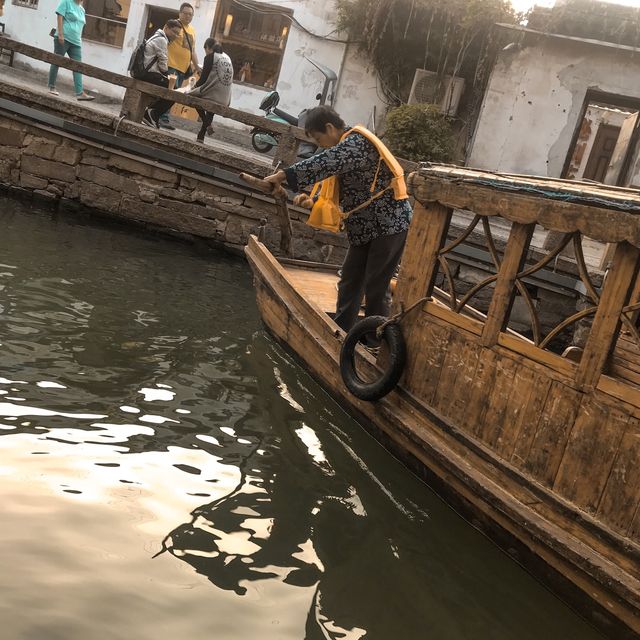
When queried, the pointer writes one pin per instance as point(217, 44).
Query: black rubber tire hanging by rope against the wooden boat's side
point(392, 335)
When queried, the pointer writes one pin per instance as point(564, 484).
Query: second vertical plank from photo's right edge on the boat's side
point(590, 453)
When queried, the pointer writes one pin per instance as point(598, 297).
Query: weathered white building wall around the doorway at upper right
point(534, 100)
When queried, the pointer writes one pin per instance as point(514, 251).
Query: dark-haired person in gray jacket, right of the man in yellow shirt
point(214, 83)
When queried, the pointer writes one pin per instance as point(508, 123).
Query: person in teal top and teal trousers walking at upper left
point(67, 40)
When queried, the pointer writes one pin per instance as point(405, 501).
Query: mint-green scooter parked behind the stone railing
point(263, 141)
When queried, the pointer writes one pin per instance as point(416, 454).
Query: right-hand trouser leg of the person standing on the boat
point(383, 259)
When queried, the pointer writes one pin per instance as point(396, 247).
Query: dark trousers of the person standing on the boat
point(367, 271)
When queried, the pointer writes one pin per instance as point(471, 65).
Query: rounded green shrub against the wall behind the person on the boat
point(419, 132)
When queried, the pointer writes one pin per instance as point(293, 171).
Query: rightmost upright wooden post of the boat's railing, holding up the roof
point(617, 288)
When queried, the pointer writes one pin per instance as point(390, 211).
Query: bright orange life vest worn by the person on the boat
point(326, 213)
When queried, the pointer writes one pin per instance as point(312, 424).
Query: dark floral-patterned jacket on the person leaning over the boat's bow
point(355, 161)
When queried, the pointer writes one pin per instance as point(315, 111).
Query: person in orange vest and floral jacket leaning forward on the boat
point(359, 174)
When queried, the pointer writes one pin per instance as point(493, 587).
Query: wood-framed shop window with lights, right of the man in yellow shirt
point(254, 35)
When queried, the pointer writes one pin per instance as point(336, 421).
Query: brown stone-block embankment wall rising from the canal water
point(73, 173)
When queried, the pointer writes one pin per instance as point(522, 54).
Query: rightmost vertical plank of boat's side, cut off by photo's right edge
point(621, 496)
